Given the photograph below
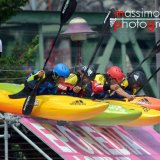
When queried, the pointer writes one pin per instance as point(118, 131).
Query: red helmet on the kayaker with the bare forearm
point(116, 73)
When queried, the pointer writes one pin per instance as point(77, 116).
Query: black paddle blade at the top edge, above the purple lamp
point(67, 10)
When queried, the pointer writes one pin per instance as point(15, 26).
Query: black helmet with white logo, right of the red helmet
point(137, 78)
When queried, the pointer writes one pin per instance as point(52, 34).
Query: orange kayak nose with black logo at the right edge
point(145, 101)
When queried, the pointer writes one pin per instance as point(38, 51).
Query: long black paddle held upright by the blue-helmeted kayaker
point(67, 11)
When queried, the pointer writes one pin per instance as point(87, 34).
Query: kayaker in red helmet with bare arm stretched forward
point(104, 84)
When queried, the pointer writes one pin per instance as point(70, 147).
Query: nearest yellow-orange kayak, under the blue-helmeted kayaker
point(55, 107)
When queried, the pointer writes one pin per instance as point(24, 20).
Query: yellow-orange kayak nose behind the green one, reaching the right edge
point(149, 116)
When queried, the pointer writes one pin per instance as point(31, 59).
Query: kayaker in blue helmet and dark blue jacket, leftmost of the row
point(50, 81)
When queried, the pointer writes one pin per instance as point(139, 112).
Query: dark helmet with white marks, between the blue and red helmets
point(90, 72)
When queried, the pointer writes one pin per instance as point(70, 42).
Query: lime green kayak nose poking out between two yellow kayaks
point(114, 115)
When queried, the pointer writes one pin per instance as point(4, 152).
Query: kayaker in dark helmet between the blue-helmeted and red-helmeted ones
point(76, 83)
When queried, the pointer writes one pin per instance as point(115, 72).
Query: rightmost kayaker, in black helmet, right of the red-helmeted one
point(133, 82)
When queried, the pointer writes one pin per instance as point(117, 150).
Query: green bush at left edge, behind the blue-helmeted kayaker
point(12, 68)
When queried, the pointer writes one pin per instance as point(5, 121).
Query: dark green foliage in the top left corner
point(10, 8)
